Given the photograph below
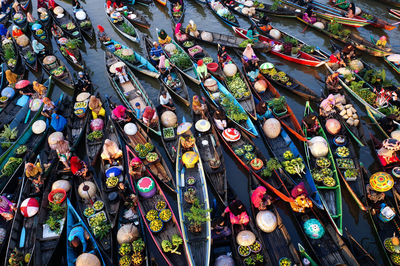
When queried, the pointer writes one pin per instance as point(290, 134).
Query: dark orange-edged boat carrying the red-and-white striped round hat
point(273, 183)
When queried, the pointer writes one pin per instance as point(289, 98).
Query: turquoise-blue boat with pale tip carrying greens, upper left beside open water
point(136, 61)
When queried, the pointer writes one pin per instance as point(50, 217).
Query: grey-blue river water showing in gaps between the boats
point(353, 219)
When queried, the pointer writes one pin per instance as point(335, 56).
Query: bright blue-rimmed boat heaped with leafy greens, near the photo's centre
point(247, 126)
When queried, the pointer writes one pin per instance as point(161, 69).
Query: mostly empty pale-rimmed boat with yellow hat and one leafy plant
point(198, 243)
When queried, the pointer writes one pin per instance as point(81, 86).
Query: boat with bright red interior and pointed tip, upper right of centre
point(301, 58)
